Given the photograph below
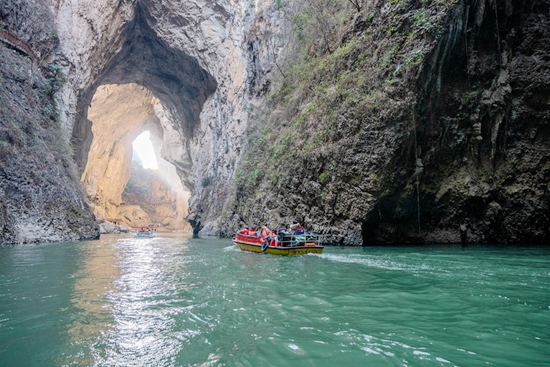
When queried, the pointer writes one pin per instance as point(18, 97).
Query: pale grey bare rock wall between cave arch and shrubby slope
point(214, 34)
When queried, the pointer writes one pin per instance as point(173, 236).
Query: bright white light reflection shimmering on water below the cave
point(144, 304)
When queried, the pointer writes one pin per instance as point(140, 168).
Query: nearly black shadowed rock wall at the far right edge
point(484, 131)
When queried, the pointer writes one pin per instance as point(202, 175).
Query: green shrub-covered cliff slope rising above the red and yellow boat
point(344, 83)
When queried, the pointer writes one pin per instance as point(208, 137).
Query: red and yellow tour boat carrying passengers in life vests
point(285, 244)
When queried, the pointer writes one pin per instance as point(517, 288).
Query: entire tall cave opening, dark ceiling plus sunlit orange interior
point(146, 86)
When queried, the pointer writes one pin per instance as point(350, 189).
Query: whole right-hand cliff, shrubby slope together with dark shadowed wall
point(424, 122)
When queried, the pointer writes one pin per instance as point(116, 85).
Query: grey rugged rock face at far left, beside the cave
point(40, 199)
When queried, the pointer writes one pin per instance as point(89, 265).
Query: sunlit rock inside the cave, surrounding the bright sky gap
point(119, 113)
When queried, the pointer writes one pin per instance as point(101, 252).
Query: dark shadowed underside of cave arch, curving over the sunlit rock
point(172, 76)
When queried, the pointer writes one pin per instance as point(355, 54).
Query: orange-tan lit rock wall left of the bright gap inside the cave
point(118, 115)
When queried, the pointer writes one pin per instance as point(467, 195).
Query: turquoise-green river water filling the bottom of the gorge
point(200, 302)
